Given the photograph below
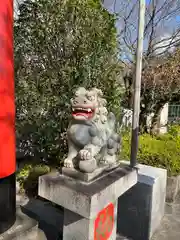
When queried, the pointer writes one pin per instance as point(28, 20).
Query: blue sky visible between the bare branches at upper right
point(165, 28)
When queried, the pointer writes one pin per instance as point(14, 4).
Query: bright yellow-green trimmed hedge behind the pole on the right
point(159, 151)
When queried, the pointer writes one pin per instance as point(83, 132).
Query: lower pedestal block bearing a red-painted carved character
point(79, 228)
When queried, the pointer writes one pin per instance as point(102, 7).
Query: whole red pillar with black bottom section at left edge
point(7, 118)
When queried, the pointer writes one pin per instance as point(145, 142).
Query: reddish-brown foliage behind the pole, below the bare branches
point(160, 84)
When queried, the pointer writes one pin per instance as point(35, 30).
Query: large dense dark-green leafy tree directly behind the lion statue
point(60, 45)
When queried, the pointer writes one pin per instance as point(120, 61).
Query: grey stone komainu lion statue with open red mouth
point(92, 139)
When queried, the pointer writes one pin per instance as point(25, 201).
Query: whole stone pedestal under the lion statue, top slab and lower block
point(90, 210)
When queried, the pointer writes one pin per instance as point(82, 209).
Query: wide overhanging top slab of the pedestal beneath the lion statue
point(87, 200)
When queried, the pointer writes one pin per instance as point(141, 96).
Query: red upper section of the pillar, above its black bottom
point(7, 103)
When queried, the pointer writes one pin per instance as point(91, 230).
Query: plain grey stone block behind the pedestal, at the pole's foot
point(141, 208)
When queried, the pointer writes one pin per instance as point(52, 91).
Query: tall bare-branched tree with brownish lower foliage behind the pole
point(161, 39)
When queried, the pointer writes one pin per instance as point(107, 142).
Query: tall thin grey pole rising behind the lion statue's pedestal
point(137, 84)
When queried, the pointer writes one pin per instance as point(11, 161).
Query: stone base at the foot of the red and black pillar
point(24, 228)
